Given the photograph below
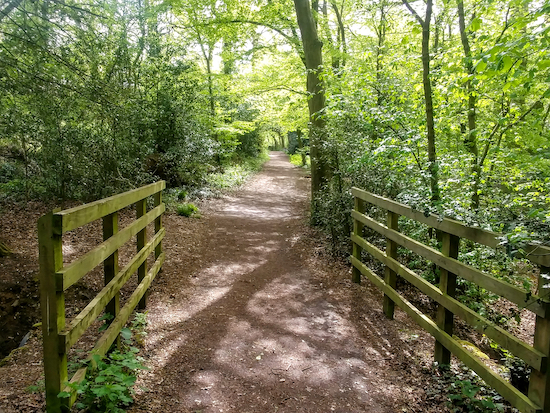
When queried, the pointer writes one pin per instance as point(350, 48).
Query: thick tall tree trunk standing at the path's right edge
point(315, 87)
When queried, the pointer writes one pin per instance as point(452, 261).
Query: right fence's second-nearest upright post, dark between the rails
point(447, 285)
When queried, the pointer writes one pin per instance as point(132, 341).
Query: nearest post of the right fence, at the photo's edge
point(539, 381)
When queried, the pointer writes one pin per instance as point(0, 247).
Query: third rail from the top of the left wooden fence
point(87, 316)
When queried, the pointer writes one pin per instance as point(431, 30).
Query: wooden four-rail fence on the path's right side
point(536, 356)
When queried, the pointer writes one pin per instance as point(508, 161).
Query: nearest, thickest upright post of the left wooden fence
point(52, 303)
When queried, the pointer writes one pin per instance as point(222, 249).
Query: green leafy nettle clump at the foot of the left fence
point(109, 386)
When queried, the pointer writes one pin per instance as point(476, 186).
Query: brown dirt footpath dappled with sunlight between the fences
point(253, 316)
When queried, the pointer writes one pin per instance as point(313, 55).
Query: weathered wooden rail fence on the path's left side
point(56, 278)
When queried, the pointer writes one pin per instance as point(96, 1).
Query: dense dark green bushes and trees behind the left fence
point(107, 113)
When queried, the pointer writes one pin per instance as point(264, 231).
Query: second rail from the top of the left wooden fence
point(77, 269)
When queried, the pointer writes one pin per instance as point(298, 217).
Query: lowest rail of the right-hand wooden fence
point(506, 390)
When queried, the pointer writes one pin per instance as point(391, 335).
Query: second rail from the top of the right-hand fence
point(522, 298)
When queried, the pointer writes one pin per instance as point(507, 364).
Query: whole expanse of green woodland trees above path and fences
point(442, 105)
